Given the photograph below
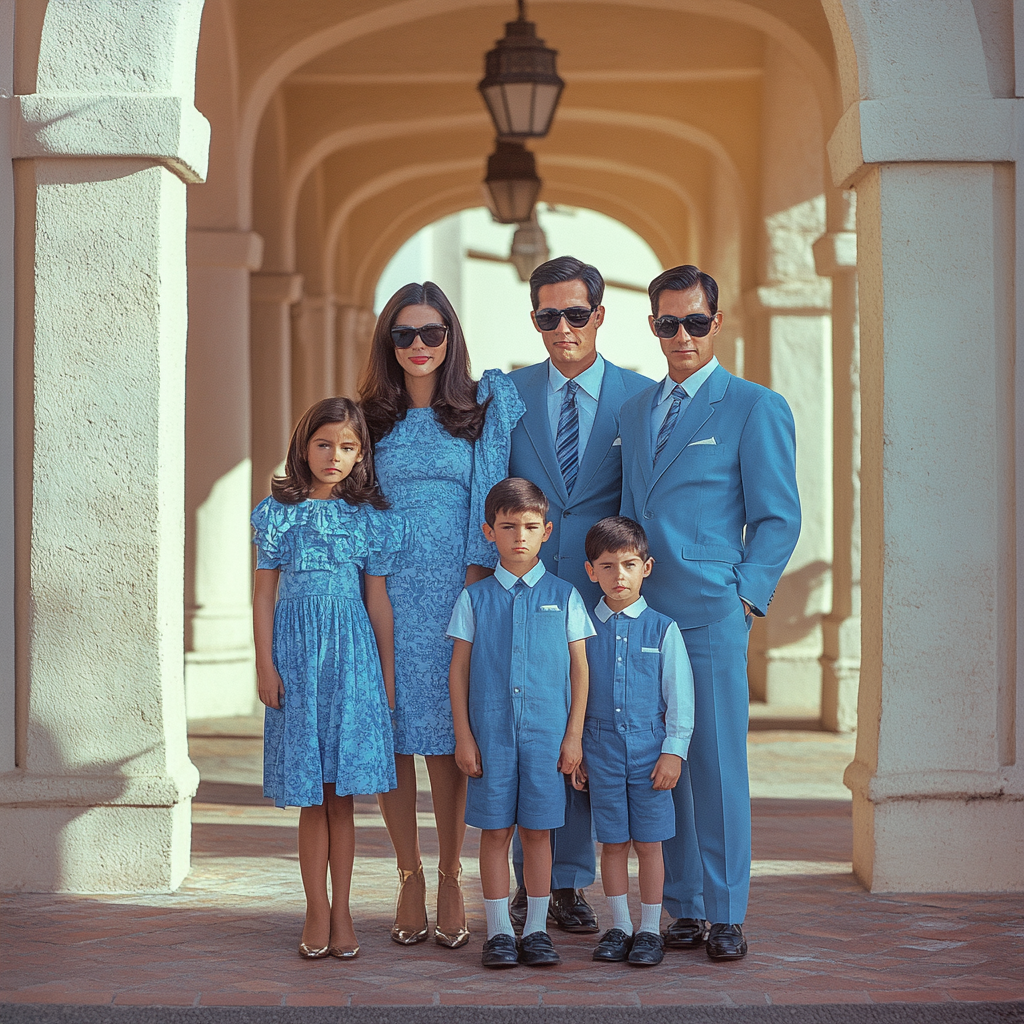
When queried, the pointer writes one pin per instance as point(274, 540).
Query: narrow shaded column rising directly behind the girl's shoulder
point(272, 296)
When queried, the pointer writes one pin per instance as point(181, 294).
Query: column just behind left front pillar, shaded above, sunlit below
point(220, 662)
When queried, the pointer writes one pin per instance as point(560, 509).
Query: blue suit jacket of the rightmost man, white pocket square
point(722, 519)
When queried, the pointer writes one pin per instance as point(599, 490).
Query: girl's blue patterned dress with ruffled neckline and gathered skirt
point(335, 726)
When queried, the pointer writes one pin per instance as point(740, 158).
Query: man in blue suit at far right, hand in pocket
point(710, 472)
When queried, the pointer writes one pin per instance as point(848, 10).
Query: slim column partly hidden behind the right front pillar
point(836, 258)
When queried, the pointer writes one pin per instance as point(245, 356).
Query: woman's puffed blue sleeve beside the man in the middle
point(491, 458)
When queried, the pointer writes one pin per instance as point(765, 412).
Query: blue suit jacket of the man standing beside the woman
point(599, 486)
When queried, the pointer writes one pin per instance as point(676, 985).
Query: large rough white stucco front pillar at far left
point(101, 798)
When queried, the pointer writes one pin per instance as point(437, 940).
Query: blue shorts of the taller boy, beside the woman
point(521, 786)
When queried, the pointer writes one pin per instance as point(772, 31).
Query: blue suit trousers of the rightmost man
point(708, 864)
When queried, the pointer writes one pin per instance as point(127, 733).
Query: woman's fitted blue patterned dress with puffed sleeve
point(439, 484)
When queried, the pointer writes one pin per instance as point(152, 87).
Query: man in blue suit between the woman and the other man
point(568, 444)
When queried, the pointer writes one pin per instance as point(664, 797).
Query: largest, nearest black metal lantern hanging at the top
point(521, 82)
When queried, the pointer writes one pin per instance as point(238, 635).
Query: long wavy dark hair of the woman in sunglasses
point(383, 394)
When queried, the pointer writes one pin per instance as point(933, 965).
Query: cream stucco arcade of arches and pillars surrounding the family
point(761, 140)
